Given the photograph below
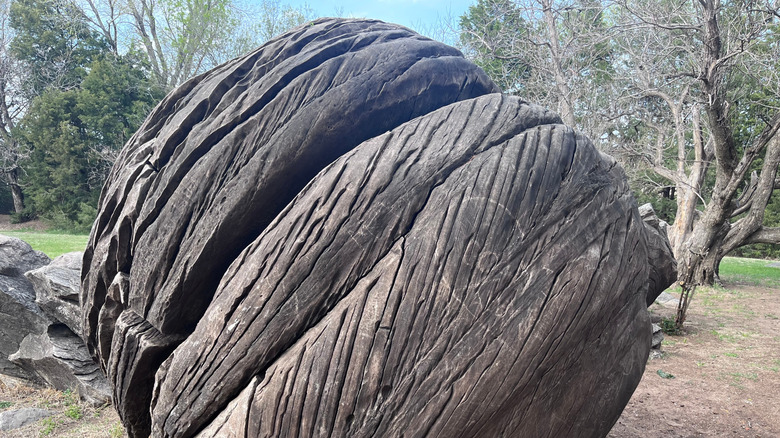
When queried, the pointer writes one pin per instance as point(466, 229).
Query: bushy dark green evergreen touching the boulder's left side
point(74, 136)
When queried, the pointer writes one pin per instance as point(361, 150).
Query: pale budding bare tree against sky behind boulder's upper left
point(185, 38)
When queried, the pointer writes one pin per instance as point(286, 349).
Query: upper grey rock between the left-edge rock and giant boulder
point(57, 288)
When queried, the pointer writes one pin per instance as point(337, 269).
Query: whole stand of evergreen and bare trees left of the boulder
point(78, 77)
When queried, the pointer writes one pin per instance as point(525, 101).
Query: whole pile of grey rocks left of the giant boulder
point(39, 319)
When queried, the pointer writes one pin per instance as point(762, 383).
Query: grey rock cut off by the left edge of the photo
point(19, 314)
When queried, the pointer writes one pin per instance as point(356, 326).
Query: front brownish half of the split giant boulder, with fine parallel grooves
point(479, 271)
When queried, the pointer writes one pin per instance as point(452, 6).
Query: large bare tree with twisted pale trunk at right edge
point(692, 69)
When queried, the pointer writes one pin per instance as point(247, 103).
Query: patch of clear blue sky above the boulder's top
point(420, 15)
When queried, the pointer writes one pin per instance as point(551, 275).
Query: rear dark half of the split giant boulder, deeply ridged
point(217, 161)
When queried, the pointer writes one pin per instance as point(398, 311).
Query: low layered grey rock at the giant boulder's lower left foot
point(61, 359)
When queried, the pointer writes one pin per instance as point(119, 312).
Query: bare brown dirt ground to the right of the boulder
point(726, 369)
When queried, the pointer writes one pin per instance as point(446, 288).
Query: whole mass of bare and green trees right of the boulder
point(685, 93)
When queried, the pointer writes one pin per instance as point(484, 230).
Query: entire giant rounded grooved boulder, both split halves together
point(348, 232)
